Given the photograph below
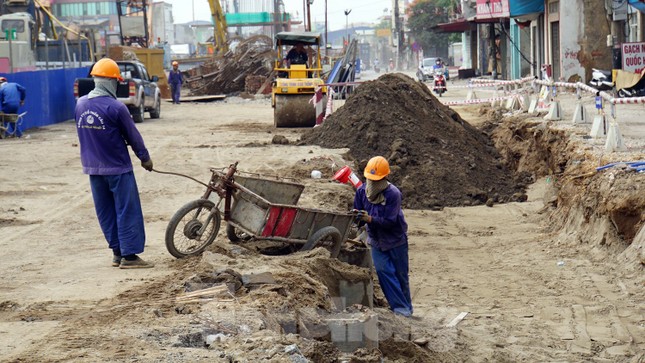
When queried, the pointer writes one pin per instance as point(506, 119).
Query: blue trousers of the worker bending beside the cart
point(392, 270)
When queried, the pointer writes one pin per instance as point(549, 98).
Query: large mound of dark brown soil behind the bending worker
point(437, 158)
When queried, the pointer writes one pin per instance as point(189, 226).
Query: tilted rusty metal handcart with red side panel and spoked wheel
point(254, 207)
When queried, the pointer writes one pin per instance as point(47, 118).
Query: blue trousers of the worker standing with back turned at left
point(118, 208)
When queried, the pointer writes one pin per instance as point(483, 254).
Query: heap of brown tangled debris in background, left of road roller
point(251, 58)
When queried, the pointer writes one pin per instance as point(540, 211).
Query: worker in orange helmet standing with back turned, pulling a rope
point(105, 129)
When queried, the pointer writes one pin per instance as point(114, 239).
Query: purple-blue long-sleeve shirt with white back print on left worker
point(105, 129)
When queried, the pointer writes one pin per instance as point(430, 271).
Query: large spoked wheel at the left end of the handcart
point(182, 234)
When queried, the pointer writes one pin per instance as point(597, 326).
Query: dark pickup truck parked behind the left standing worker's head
point(138, 90)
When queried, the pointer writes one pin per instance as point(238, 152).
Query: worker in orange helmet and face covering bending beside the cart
point(378, 205)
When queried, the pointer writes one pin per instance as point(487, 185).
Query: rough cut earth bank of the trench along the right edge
point(603, 210)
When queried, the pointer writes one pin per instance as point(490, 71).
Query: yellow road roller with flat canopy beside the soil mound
point(296, 84)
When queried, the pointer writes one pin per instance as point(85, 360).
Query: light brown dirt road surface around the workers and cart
point(530, 296)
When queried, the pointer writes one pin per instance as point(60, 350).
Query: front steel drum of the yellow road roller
point(294, 110)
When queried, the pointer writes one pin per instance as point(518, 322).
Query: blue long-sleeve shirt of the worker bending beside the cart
point(388, 228)
